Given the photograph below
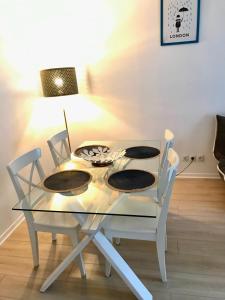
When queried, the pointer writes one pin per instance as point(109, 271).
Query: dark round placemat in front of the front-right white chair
point(131, 180)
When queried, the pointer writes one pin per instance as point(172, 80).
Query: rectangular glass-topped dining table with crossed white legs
point(97, 204)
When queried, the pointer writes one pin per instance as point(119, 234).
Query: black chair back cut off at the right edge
point(219, 144)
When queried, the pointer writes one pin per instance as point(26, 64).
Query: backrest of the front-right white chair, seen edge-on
point(173, 162)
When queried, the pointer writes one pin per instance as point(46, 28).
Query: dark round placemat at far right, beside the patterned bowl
point(141, 152)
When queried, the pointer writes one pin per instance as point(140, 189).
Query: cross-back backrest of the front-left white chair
point(24, 184)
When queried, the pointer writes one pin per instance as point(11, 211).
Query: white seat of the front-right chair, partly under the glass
point(139, 204)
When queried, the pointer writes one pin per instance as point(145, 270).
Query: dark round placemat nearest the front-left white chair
point(68, 181)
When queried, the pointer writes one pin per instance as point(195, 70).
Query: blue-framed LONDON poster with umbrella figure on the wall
point(179, 21)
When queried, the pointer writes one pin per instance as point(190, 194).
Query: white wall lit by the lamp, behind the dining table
point(139, 87)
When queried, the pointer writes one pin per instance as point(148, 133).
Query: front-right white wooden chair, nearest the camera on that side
point(149, 229)
